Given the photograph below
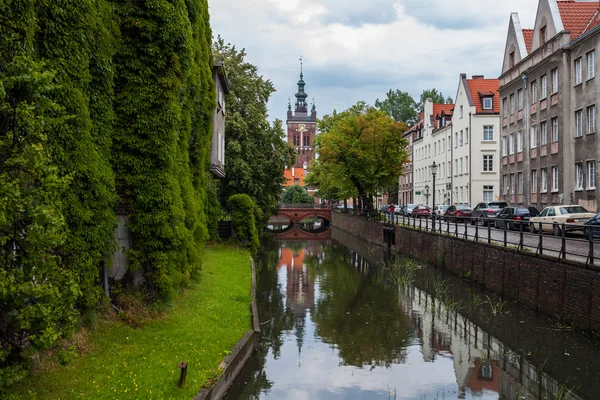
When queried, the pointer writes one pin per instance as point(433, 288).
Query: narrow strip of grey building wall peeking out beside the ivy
point(217, 151)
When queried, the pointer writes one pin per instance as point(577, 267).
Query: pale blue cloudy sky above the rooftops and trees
point(359, 49)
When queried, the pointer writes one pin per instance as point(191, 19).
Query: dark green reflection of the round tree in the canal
point(360, 317)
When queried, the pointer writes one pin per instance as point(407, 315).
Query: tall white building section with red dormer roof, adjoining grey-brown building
point(475, 141)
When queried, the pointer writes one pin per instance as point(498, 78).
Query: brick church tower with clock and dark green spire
point(301, 130)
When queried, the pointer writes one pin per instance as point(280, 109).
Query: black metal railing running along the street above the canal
point(561, 240)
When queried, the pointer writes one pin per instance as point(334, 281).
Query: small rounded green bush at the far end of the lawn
point(243, 221)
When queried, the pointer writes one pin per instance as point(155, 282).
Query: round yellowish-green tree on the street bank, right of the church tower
point(363, 147)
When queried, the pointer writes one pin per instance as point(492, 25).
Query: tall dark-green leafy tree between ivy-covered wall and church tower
point(256, 150)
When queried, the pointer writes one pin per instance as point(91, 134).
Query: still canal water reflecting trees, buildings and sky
point(341, 320)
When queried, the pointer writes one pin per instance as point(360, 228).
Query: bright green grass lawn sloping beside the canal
point(201, 327)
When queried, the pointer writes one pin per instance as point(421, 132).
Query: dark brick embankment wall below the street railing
point(565, 289)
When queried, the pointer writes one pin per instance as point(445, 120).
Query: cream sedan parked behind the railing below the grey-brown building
point(552, 218)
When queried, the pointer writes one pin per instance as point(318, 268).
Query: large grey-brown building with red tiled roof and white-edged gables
point(549, 147)
